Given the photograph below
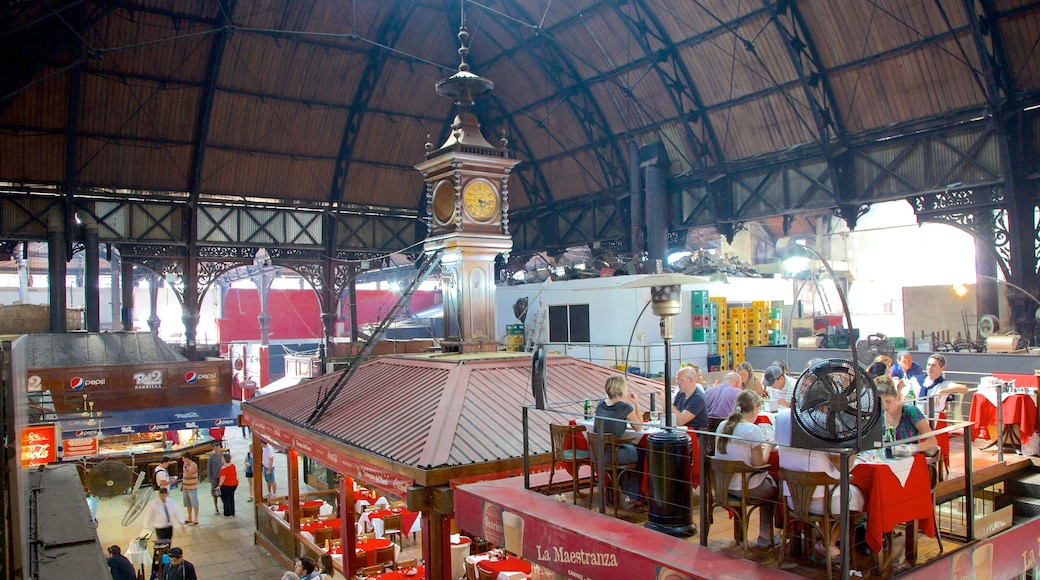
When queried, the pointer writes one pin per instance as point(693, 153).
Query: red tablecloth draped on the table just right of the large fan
point(889, 504)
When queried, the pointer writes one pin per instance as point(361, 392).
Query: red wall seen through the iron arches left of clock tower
point(296, 314)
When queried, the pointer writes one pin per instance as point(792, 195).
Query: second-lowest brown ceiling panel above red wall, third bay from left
point(273, 126)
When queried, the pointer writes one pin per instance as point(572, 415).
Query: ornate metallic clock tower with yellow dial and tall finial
point(467, 200)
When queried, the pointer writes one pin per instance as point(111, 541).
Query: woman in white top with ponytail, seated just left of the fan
point(750, 447)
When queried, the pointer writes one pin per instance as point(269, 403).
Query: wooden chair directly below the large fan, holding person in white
point(802, 487)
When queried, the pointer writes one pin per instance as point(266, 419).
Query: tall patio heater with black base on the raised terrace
point(669, 451)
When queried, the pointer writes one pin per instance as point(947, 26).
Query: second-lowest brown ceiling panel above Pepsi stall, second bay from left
point(138, 110)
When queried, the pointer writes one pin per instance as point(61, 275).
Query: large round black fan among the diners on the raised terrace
point(835, 406)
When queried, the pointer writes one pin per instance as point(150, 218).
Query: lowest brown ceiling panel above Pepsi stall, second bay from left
point(114, 164)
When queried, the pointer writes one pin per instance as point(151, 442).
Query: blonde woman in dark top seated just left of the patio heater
point(620, 411)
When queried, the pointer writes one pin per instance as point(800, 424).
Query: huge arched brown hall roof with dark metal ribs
point(328, 103)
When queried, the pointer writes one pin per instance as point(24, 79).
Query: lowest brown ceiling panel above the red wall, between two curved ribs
point(279, 177)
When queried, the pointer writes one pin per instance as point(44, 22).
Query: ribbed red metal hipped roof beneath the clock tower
point(430, 411)
